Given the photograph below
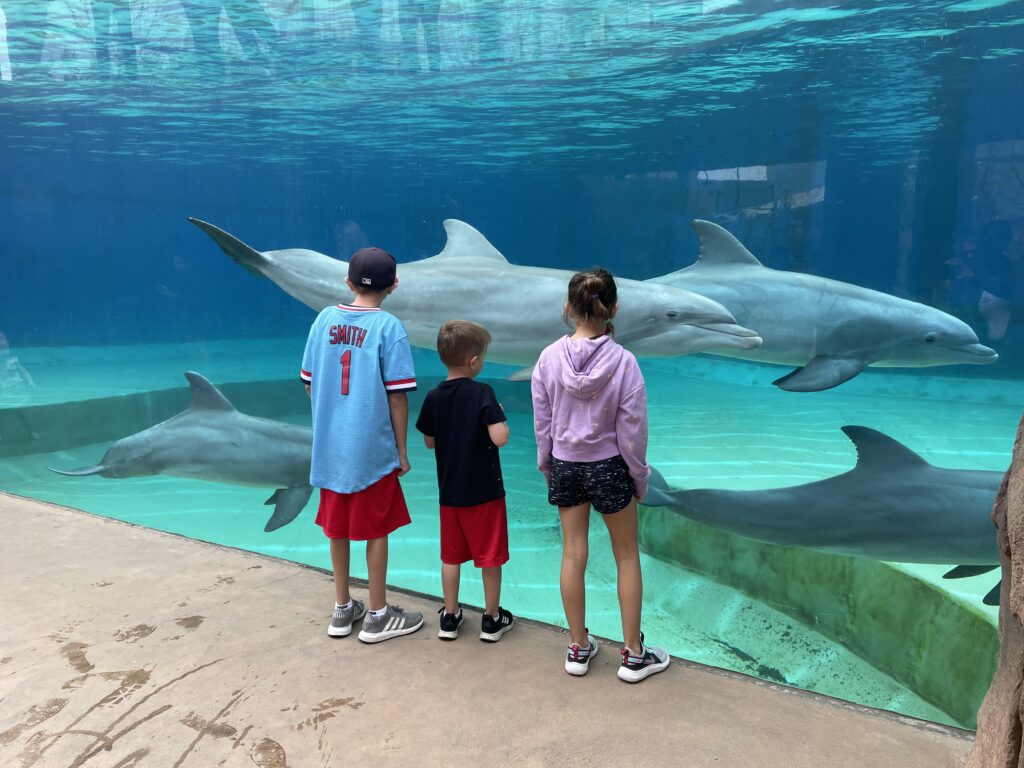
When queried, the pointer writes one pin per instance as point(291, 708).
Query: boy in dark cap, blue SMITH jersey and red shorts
point(358, 368)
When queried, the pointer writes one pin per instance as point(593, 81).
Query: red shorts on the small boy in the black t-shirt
point(480, 534)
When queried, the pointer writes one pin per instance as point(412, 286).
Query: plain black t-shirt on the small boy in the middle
point(457, 415)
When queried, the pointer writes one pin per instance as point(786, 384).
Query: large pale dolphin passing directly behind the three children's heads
point(522, 307)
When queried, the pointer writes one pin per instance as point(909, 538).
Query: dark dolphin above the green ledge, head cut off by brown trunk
point(892, 506)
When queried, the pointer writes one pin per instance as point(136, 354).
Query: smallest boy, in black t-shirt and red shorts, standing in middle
point(462, 420)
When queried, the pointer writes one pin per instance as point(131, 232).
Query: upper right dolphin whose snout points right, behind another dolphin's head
point(830, 330)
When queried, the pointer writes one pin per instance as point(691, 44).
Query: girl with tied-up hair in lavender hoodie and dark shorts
point(590, 414)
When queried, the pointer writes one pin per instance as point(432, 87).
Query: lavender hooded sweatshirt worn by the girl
point(590, 404)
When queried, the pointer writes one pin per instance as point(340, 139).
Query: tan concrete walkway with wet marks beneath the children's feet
point(123, 648)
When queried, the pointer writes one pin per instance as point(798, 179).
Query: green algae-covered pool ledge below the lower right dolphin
point(938, 647)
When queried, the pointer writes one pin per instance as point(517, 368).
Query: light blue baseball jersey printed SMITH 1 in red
point(355, 357)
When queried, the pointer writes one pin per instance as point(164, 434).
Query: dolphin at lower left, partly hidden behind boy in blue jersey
point(211, 441)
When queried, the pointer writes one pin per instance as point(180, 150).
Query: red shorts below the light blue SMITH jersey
point(371, 514)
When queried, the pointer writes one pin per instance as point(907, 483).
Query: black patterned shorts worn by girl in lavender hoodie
point(608, 485)
